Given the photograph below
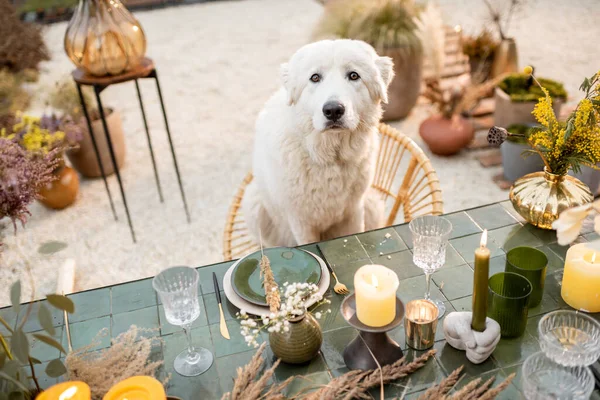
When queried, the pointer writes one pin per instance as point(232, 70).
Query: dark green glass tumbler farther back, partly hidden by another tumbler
point(530, 263)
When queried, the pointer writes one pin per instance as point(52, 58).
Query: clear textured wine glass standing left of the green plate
point(178, 291)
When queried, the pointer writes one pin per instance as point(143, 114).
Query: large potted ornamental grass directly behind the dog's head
point(389, 26)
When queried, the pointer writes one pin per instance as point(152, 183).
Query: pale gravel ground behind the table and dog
point(218, 64)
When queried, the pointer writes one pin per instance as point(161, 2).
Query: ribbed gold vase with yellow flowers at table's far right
point(541, 196)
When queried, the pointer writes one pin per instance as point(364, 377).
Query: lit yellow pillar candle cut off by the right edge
point(581, 278)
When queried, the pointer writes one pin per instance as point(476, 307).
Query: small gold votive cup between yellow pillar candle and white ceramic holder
point(420, 323)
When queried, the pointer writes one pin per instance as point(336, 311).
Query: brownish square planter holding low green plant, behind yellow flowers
point(510, 112)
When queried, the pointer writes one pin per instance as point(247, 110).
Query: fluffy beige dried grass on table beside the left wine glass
point(129, 355)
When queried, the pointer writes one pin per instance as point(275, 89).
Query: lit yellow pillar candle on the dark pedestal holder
point(375, 290)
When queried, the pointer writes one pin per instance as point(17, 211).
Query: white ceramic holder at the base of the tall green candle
point(479, 346)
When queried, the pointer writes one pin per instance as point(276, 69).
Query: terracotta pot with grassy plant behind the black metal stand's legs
point(64, 99)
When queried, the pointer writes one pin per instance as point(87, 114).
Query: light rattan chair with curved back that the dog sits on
point(404, 177)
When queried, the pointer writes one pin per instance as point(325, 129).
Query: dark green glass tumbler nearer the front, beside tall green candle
point(508, 302)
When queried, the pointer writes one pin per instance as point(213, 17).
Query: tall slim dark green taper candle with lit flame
point(480, 284)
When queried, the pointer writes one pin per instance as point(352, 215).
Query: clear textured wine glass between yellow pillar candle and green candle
point(430, 236)
